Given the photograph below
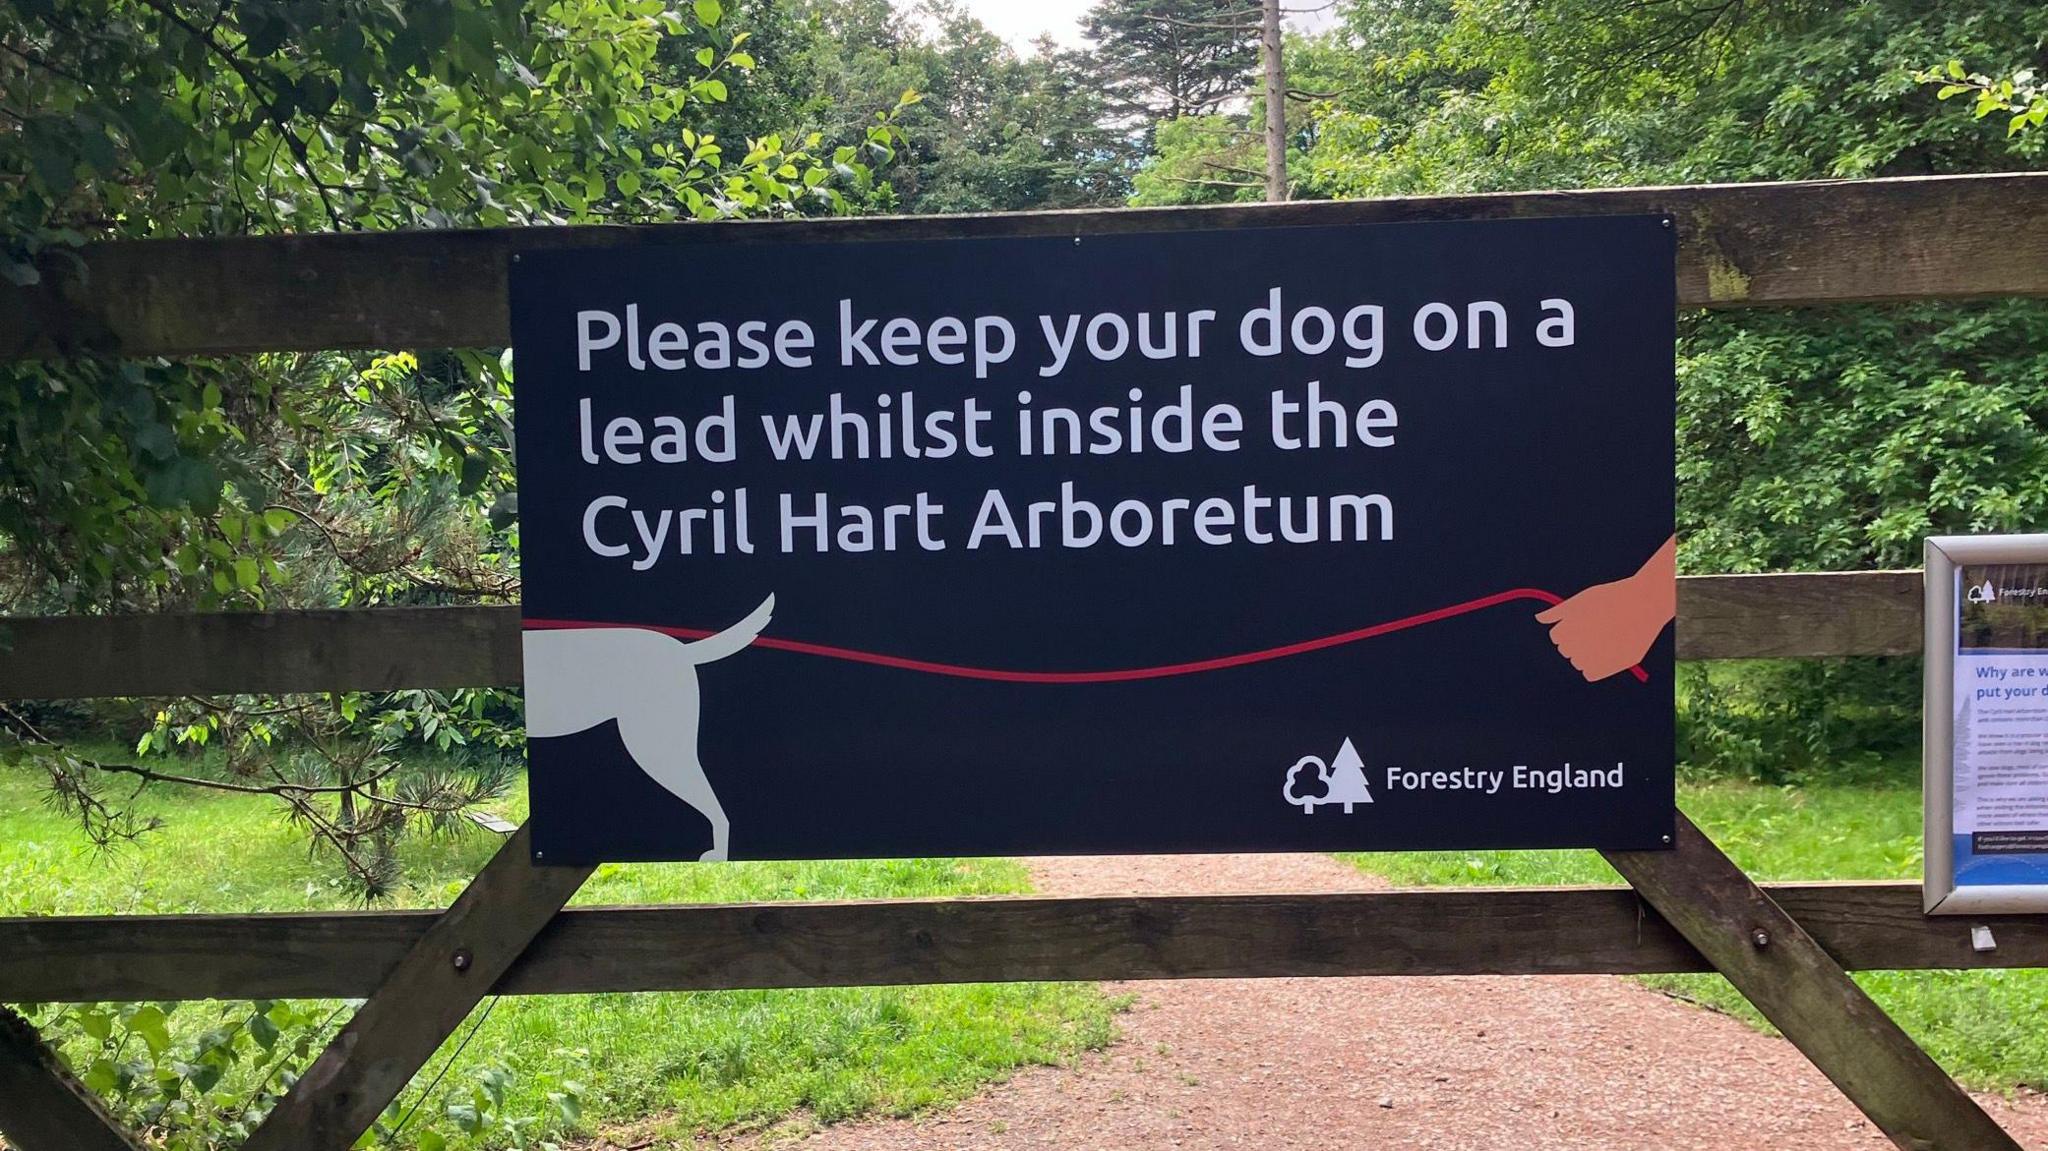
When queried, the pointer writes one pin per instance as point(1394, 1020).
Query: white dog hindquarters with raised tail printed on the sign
point(579, 679)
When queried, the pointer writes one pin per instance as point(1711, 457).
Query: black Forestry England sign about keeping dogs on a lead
point(1258, 540)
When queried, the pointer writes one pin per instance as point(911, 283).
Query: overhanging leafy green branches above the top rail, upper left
point(151, 118)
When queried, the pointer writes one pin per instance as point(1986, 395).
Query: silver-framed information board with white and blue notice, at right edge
point(1988, 724)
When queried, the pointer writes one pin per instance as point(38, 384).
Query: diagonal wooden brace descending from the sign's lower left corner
point(421, 1003)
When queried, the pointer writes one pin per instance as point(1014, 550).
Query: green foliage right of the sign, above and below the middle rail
point(1842, 443)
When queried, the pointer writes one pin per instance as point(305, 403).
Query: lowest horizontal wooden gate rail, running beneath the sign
point(1549, 931)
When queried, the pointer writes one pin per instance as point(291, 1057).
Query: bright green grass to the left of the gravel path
point(695, 1060)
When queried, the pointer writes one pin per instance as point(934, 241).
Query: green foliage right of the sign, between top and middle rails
point(1842, 441)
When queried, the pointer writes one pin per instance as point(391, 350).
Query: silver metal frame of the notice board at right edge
point(1947, 556)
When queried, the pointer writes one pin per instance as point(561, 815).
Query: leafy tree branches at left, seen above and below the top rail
point(142, 120)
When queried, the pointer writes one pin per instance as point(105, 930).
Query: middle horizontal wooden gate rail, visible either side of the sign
point(1721, 617)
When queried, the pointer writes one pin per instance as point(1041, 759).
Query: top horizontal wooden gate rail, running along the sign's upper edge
point(1740, 245)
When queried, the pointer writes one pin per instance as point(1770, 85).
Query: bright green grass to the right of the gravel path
point(1988, 1027)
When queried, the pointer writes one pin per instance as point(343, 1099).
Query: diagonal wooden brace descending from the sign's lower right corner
point(1770, 960)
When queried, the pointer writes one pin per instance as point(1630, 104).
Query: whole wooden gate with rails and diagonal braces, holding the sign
point(423, 972)
